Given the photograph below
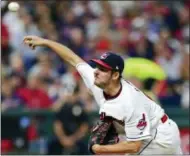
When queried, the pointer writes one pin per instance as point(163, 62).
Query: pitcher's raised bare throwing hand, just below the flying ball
point(33, 41)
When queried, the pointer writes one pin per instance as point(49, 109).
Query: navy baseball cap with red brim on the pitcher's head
point(110, 61)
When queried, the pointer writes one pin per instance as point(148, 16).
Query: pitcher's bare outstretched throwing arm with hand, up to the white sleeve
point(64, 52)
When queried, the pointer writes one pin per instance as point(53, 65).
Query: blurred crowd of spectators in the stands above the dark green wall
point(39, 79)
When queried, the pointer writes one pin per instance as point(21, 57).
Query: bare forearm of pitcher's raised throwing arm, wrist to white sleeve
point(64, 52)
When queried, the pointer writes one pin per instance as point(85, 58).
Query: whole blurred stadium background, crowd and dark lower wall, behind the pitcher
point(45, 107)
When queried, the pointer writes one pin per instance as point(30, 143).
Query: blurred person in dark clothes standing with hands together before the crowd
point(70, 133)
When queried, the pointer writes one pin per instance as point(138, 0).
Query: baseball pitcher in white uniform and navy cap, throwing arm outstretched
point(148, 129)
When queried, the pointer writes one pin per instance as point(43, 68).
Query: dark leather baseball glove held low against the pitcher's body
point(103, 133)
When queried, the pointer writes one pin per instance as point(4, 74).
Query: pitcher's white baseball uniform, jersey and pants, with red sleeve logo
point(140, 115)
